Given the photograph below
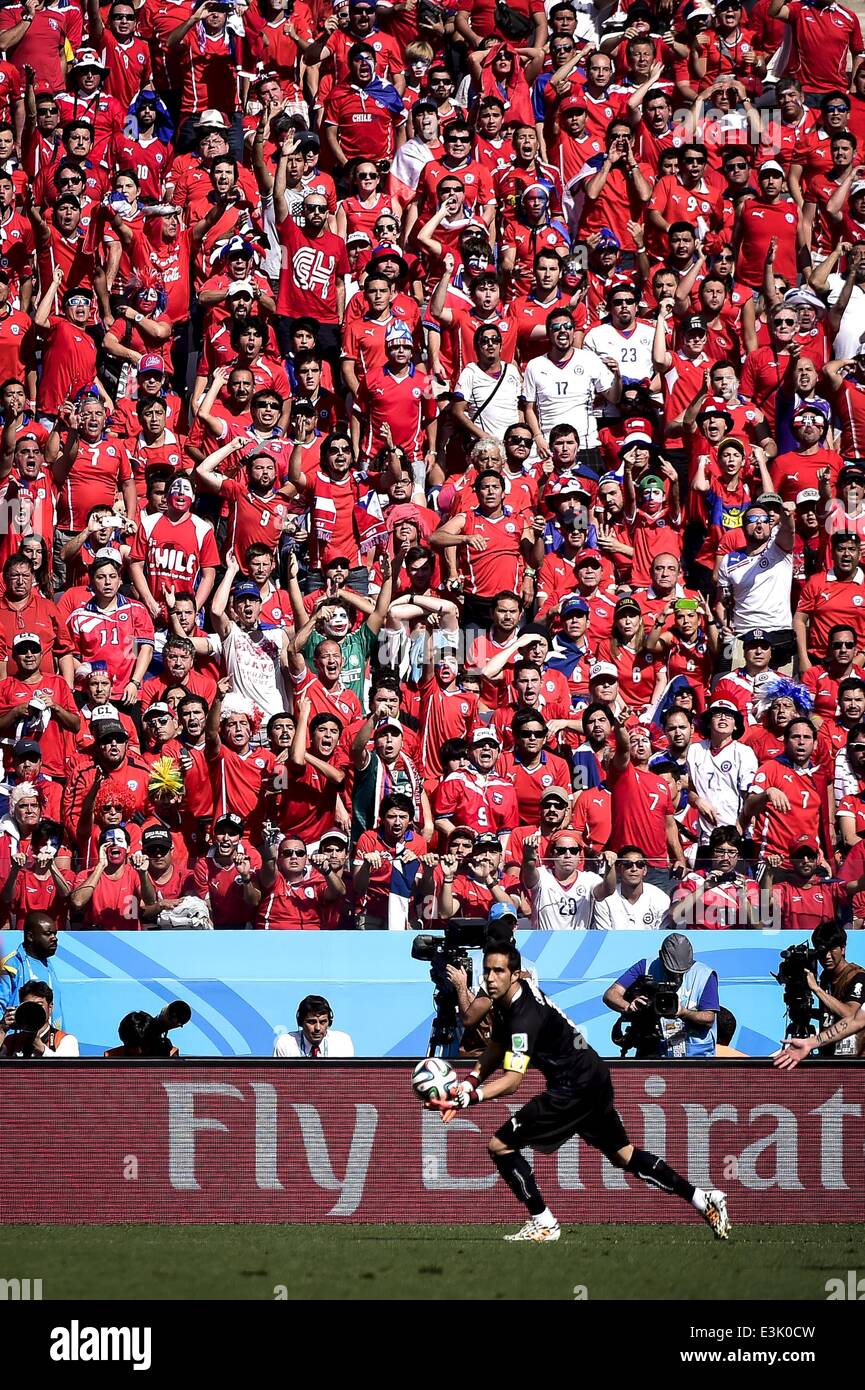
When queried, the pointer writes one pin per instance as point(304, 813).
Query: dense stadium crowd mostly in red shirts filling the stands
point(432, 464)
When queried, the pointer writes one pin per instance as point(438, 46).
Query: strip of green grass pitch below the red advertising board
point(382, 1263)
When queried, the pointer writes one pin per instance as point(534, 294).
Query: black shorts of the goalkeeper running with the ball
point(550, 1121)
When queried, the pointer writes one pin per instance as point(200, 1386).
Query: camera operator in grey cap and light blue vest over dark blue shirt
point(692, 1029)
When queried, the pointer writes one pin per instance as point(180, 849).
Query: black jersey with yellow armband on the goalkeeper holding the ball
point(533, 1031)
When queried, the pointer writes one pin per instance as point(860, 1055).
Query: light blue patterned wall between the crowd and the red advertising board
point(245, 986)
